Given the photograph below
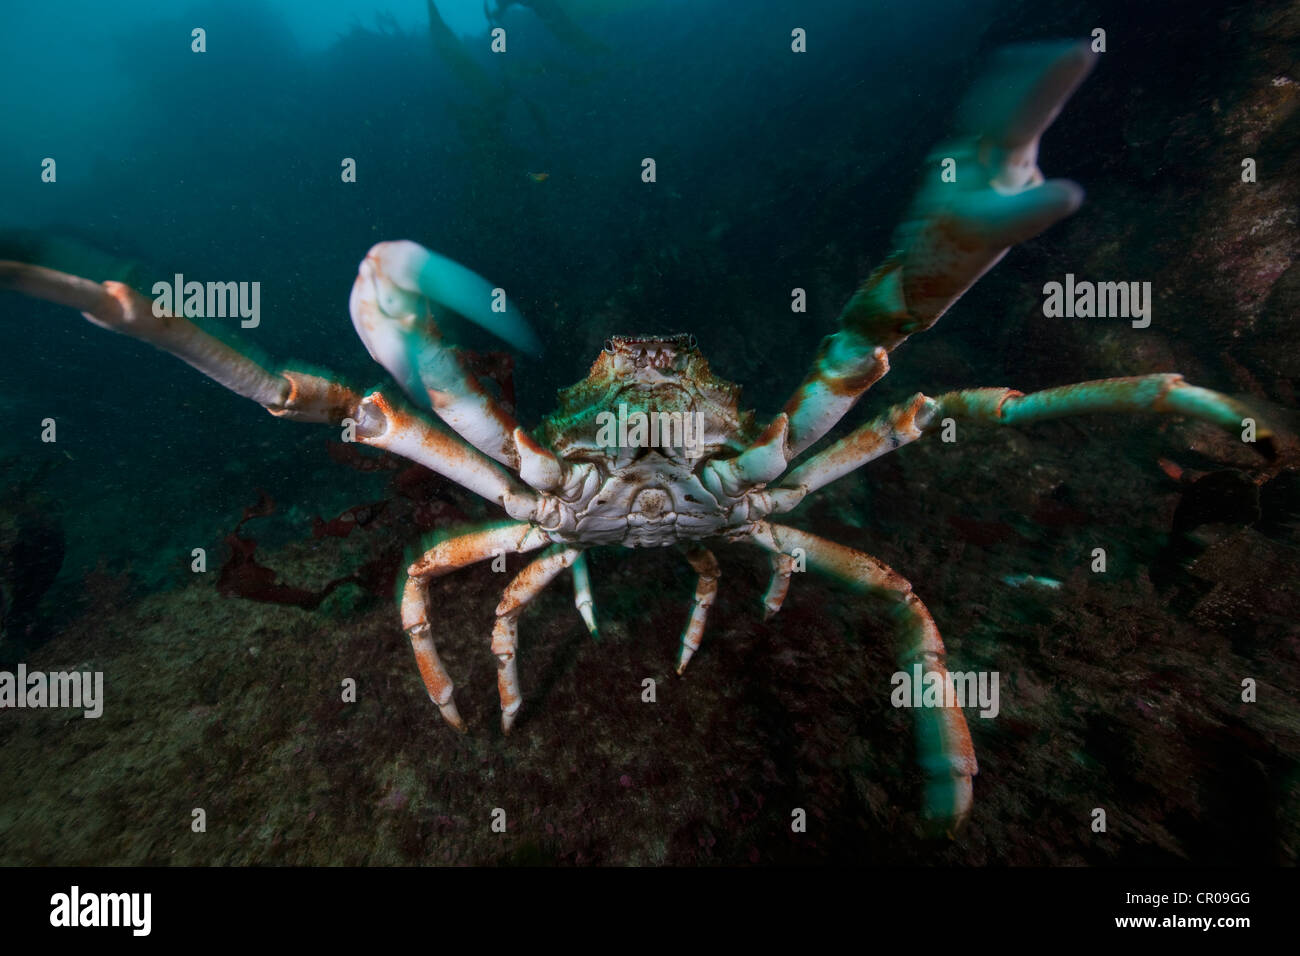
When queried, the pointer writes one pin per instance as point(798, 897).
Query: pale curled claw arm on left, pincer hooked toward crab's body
point(391, 310)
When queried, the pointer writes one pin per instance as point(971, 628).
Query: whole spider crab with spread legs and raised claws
point(567, 490)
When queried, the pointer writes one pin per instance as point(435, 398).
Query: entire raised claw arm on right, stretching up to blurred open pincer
point(956, 231)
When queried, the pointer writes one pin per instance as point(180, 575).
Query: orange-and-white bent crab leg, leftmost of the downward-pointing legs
point(444, 559)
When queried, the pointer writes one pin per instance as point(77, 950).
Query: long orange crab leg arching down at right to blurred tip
point(943, 739)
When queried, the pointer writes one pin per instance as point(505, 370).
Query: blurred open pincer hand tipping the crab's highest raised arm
point(985, 191)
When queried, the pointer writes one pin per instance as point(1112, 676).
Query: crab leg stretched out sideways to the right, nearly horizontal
point(1165, 393)
